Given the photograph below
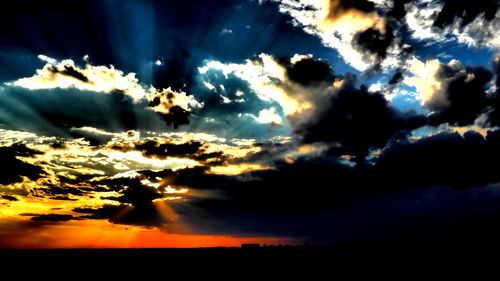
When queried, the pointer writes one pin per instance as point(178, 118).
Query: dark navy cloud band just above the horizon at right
point(433, 216)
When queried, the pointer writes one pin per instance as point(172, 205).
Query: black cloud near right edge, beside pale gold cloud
point(464, 96)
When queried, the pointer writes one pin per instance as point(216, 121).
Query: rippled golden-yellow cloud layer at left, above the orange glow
point(76, 156)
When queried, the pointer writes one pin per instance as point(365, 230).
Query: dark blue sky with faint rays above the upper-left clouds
point(131, 35)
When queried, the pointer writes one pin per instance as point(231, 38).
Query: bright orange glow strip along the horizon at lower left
point(95, 234)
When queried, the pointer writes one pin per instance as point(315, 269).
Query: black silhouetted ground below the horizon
point(404, 260)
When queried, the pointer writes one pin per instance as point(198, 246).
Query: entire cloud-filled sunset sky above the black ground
point(148, 123)
